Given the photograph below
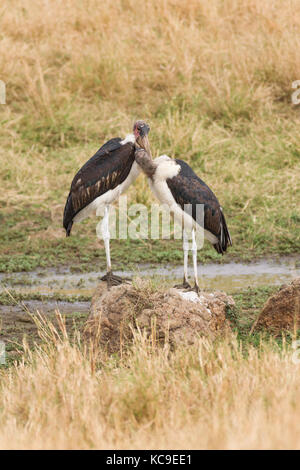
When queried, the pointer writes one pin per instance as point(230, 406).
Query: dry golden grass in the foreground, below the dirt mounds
point(211, 396)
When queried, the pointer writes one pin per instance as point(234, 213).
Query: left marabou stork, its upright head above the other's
point(101, 180)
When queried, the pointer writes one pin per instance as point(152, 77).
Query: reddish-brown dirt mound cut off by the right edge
point(281, 312)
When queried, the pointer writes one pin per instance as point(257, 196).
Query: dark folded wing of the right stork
point(188, 188)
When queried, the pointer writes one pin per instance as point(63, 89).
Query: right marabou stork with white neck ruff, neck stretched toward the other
point(175, 184)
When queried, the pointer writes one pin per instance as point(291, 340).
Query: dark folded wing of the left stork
point(106, 170)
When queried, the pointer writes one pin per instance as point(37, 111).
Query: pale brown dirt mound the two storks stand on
point(166, 315)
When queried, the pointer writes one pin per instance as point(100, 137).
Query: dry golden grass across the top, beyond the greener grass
point(51, 51)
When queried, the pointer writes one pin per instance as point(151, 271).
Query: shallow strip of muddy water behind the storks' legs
point(228, 277)
